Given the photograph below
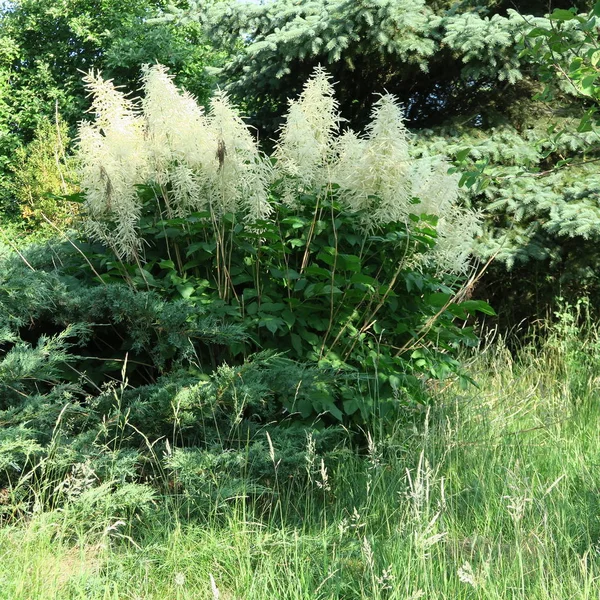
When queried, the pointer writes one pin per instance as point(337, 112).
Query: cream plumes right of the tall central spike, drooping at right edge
point(378, 178)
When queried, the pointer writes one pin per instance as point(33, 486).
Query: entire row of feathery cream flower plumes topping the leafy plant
point(211, 162)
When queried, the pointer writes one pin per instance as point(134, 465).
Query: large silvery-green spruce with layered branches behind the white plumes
point(471, 90)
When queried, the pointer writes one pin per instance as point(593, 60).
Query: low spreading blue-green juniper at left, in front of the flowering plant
point(105, 372)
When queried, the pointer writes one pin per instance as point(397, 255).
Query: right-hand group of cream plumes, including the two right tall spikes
point(374, 173)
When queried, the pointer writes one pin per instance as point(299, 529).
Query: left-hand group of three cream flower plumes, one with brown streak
point(199, 161)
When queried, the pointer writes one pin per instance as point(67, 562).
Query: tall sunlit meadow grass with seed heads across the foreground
point(493, 492)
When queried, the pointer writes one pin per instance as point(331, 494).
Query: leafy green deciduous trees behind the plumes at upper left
point(45, 45)
